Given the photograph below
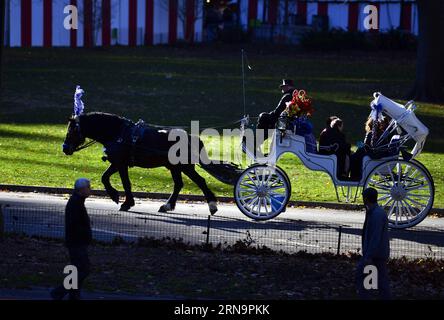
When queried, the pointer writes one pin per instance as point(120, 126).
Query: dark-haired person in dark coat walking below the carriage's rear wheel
point(375, 246)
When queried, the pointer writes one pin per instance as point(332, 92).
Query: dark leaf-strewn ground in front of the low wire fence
point(173, 268)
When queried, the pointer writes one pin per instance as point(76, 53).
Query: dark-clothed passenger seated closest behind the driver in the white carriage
point(333, 141)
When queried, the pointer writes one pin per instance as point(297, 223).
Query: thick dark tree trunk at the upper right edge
point(429, 85)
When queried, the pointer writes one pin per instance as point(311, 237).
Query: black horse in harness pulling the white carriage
point(129, 144)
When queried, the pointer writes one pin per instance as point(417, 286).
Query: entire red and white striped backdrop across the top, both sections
point(138, 22)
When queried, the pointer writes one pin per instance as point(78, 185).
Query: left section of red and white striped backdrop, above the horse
point(123, 22)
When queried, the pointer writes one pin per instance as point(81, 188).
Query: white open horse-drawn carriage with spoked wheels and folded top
point(405, 187)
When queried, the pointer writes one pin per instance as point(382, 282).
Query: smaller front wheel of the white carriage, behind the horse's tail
point(262, 192)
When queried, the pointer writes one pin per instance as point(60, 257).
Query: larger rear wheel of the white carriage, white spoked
point(405, 191)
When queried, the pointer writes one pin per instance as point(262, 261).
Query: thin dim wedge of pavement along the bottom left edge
point(39, 293)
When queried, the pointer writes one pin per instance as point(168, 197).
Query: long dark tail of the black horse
point(223, 171)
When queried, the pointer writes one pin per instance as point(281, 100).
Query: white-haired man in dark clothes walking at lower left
point(78, 237)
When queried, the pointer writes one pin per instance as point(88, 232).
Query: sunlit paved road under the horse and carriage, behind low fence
point(313, 230)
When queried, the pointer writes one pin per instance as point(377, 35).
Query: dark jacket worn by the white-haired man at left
point(77, 223)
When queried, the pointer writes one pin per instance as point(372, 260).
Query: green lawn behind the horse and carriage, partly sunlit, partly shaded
point(172, 86)
